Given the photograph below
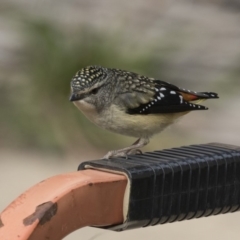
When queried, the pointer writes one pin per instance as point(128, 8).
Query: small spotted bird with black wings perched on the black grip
point(131, 104)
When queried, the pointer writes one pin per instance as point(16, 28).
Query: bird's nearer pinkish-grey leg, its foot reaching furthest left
point(128, 150)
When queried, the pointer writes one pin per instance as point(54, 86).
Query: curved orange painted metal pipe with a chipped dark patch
point(61, 204)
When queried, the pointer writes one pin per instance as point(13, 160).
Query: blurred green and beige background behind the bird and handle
point(193, 44)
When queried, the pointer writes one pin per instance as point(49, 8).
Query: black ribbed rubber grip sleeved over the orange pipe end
point(179, 183)
